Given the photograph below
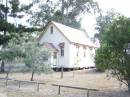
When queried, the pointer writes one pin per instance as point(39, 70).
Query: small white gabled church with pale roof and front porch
point(71, 47)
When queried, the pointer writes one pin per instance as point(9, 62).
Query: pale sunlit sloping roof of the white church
point(74, 35)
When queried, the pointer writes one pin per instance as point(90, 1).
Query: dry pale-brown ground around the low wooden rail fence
point(80, 78)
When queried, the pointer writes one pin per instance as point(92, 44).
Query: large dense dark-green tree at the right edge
point(116, 53)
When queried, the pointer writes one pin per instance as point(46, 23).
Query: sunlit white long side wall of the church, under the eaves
point(85, 57)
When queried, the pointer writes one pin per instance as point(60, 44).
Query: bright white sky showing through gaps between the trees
point(89, 21)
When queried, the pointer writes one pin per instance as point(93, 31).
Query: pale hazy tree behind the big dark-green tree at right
point(104, 20)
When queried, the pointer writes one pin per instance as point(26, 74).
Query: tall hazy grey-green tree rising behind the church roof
point(63, 11)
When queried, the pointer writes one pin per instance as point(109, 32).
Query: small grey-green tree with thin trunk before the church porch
point(35, 58)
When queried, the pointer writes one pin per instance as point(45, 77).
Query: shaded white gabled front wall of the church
point(56, 38)
